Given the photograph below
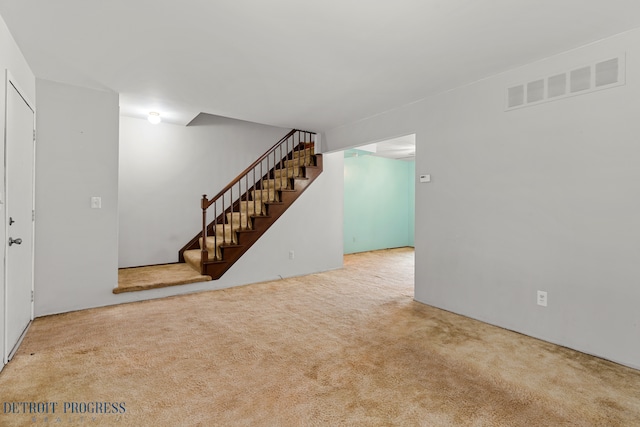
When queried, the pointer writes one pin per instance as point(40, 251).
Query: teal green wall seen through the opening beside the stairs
point(378, 202)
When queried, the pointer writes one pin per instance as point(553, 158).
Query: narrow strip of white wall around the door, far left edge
point(10, 59)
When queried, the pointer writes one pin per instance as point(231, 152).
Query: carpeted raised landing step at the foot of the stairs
point(156, 276)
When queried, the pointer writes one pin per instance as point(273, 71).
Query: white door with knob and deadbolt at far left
point(19, 161)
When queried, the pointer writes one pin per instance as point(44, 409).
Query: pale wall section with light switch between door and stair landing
point(76, 246)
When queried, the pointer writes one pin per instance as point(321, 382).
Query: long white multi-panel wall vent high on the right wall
point(577, 81)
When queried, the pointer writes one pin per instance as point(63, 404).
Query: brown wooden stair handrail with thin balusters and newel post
point(251, 179)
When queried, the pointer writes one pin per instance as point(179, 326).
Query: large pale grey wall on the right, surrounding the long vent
point(540, 198)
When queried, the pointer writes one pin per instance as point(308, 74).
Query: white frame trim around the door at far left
point(7, 353)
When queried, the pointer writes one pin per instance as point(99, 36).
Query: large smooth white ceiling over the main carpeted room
point(313, 65)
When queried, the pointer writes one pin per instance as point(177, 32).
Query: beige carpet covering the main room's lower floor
point(342, 348)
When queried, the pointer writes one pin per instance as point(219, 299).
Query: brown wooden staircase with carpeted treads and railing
point(246, 208)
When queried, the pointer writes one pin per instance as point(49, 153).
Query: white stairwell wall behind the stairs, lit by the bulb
point(164, 171)
